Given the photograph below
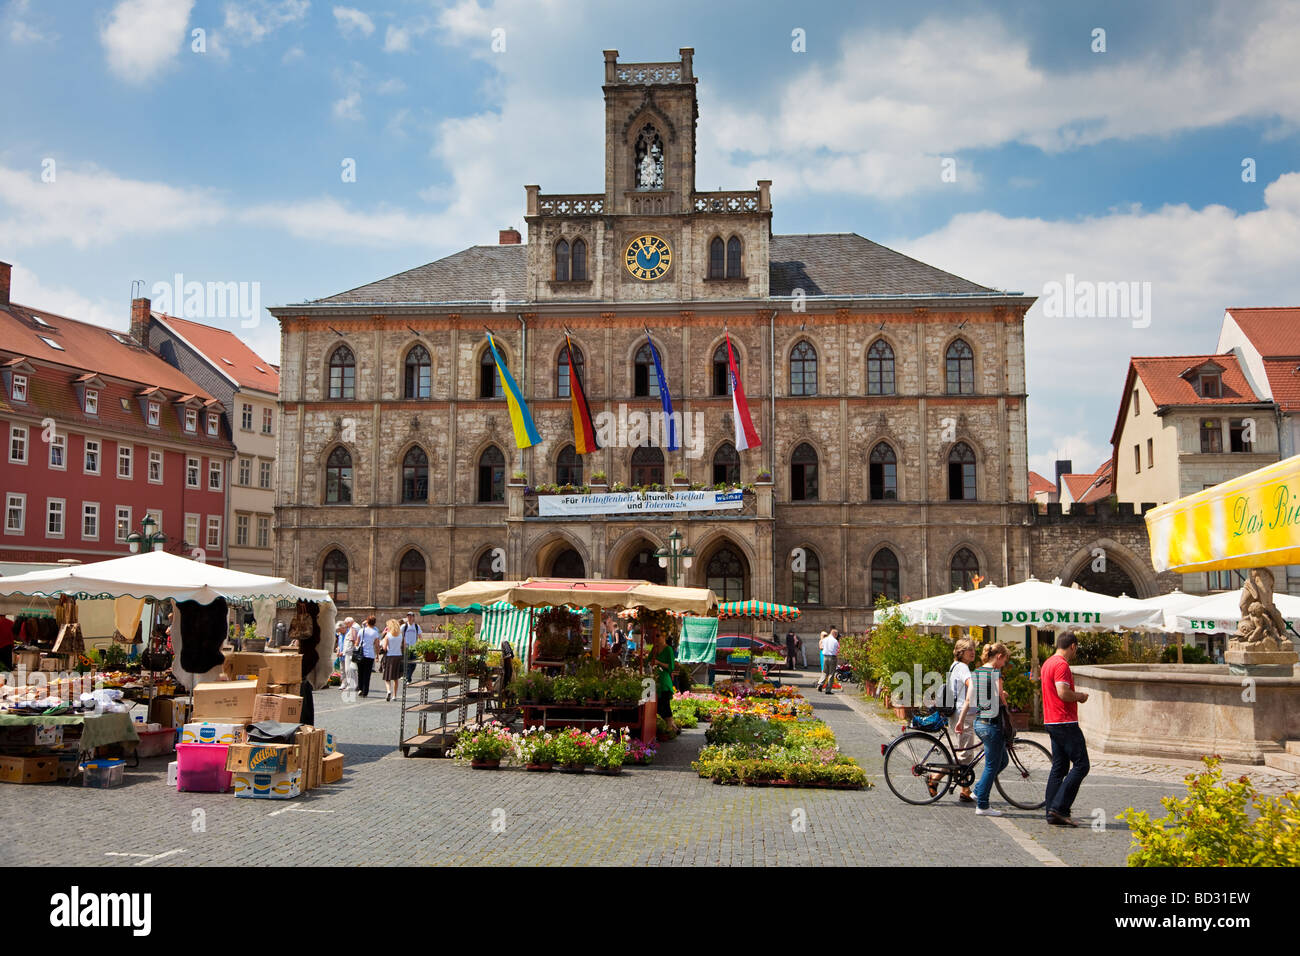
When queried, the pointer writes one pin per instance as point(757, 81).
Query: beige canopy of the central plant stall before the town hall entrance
point(586, 594)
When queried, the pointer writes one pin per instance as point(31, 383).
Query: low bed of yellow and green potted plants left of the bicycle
point(770, 739)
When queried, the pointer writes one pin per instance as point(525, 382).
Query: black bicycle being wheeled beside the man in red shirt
point(915, 756)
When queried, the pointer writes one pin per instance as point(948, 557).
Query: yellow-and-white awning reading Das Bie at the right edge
point(1253, 521)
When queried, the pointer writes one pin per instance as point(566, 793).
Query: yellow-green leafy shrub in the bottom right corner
point(1214, 827)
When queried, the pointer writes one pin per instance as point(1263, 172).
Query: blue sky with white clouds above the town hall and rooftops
point(219, 155)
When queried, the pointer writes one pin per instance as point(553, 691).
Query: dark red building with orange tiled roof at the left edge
point(99, 432)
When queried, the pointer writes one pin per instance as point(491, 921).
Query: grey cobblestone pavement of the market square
point(389, 810)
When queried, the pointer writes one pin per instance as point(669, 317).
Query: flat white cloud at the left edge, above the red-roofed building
point(89, 207)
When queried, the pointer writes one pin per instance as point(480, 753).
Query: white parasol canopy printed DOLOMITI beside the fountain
point(1035, 604)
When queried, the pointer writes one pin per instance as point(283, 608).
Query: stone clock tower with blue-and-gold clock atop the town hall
point(651, 236)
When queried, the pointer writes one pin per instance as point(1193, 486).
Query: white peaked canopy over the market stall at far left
point(157, 577)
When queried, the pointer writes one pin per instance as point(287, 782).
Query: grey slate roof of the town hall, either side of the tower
point(820, 265)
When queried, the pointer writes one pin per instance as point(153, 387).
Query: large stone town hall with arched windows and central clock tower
point(890, 399)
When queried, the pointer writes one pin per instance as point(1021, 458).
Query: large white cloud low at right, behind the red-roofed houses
point(1199, 262)
